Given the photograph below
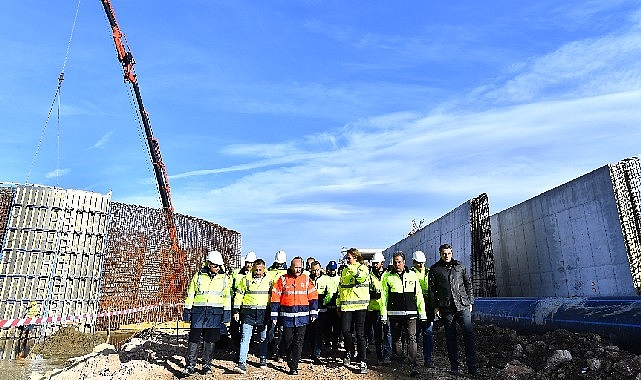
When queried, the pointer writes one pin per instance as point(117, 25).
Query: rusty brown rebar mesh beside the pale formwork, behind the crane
point(141, 270)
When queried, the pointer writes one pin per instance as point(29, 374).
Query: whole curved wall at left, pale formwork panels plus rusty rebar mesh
point(75, 252)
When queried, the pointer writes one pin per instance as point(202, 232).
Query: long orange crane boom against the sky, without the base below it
point(127, 61)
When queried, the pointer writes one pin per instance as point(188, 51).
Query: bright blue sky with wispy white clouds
point(312, 125)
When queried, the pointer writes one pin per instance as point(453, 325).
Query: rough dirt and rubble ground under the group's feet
point(502, 354)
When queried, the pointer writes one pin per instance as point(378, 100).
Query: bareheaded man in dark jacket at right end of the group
point(451, 289)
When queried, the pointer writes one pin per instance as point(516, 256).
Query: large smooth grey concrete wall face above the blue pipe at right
point(565, 242)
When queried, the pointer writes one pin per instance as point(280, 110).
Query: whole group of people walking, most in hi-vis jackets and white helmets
point(354, 304)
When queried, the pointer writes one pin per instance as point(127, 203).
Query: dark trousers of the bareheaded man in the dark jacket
point(462, 318)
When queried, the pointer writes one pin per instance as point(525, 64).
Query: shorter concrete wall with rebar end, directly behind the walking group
point(467, 230)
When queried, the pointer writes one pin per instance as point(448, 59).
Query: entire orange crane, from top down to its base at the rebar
point(126, 59)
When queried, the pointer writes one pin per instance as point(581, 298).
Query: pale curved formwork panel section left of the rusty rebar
point(52, 251)
